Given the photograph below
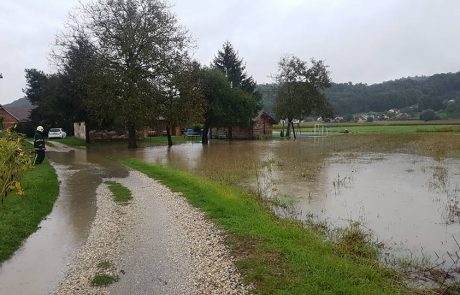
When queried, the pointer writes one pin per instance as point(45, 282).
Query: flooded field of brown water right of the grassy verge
point(406, 195)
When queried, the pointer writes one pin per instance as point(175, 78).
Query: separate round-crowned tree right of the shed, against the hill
point(300, 89)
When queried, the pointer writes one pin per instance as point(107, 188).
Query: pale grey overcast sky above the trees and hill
point(366, 41)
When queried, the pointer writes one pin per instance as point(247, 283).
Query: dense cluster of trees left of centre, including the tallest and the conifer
point(126, 65)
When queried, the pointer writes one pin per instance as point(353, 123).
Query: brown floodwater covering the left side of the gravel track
point(40, 264)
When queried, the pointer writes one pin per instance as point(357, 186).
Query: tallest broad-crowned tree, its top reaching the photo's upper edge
point(140, 42)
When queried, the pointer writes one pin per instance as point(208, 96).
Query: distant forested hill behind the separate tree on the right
point(414, 93)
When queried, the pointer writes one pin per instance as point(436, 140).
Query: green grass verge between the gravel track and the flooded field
point(278, 256)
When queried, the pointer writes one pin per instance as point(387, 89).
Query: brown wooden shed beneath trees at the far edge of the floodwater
point(261, 126)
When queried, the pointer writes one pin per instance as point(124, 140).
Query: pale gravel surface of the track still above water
point(158, 244)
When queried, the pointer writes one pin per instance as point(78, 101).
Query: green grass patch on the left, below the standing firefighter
point(20, 216)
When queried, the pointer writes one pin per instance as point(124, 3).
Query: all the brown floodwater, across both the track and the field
point(409, 201)
